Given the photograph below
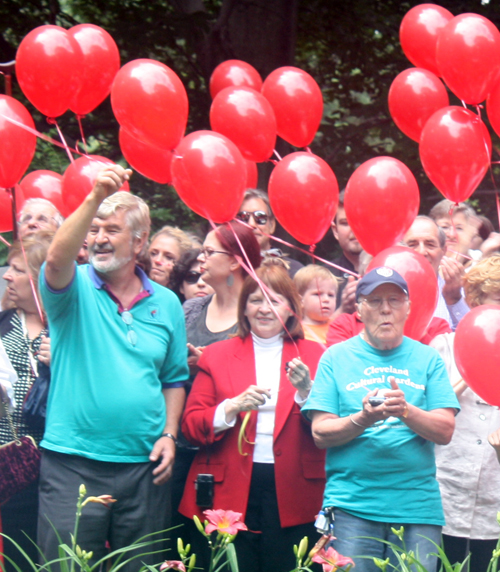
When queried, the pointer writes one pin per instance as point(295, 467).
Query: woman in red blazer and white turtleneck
point(278, 478)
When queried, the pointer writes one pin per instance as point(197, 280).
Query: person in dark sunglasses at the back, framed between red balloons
point(256, 211)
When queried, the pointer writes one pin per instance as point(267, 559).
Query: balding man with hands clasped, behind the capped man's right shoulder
point(427, 238)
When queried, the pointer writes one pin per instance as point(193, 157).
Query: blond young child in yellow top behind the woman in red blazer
point(317, 287)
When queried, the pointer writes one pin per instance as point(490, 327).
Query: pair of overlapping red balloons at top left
point(60, 69)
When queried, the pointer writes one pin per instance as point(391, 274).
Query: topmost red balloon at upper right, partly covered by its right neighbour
point(419, 32)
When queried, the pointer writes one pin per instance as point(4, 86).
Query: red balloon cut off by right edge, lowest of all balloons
point(476, 348)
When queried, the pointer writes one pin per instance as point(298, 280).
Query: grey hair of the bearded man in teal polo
point(136, 214)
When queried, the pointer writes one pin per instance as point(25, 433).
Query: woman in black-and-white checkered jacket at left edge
point(23, 334)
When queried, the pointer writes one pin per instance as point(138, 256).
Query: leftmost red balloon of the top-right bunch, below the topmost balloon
point(414, 96)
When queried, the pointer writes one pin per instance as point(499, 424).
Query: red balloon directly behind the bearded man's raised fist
point(79, 179)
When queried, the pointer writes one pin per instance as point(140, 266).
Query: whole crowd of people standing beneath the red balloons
point(189, 373)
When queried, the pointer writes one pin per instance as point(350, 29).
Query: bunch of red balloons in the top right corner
point(455, 146)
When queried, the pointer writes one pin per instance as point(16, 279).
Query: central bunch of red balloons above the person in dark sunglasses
point(211, 169)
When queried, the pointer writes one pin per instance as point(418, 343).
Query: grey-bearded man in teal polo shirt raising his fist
point(119, 364)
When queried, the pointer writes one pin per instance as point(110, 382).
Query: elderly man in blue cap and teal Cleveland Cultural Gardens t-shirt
point(379, 403)
